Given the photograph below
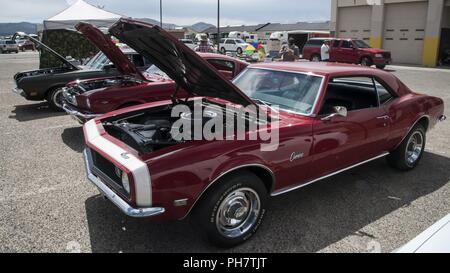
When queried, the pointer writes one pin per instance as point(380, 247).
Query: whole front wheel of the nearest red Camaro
point(233, 210)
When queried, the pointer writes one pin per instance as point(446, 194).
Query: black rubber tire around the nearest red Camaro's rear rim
point(398, 159)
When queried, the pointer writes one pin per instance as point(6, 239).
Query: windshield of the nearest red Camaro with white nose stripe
point(293, 92)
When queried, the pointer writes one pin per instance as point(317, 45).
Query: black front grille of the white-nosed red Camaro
point(106, 171)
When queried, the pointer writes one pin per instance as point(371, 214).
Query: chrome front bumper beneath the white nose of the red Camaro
point(114, 198)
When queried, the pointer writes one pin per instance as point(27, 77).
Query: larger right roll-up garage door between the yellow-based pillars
point(404, 31)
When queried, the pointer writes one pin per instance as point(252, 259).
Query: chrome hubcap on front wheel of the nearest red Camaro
point(238, 212)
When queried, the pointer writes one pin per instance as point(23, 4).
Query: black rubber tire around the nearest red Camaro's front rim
point(206, 213)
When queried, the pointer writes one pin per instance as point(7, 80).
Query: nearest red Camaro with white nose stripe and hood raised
point(323, 119)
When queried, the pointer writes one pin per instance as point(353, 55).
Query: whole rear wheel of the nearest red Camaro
point(408, 155)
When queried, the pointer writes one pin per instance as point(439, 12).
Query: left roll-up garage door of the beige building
point(354, 22)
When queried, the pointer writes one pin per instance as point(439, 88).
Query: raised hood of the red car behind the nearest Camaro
point(114, 54)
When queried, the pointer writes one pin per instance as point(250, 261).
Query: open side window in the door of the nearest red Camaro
point(354, 93)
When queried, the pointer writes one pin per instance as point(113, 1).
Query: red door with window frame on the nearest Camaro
point(340, 142)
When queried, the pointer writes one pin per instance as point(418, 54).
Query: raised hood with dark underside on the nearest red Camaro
point(190, 71)
